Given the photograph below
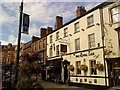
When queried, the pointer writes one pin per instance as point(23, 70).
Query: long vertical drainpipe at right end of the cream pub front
point(103, 35)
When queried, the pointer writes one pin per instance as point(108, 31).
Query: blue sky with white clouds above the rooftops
point(42, 14)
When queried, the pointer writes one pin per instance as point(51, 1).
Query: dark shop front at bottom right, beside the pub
point(114, 71)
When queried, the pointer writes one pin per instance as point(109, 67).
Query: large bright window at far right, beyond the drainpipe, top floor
point(115, 14)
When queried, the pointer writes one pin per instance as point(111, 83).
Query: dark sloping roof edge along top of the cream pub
point(98, 6)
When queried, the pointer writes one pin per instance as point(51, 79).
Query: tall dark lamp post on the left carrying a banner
point(19, 38)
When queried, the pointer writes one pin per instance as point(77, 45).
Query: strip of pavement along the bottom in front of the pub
point(52, 85)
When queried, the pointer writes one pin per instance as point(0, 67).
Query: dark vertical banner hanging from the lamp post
point(25, 23)
